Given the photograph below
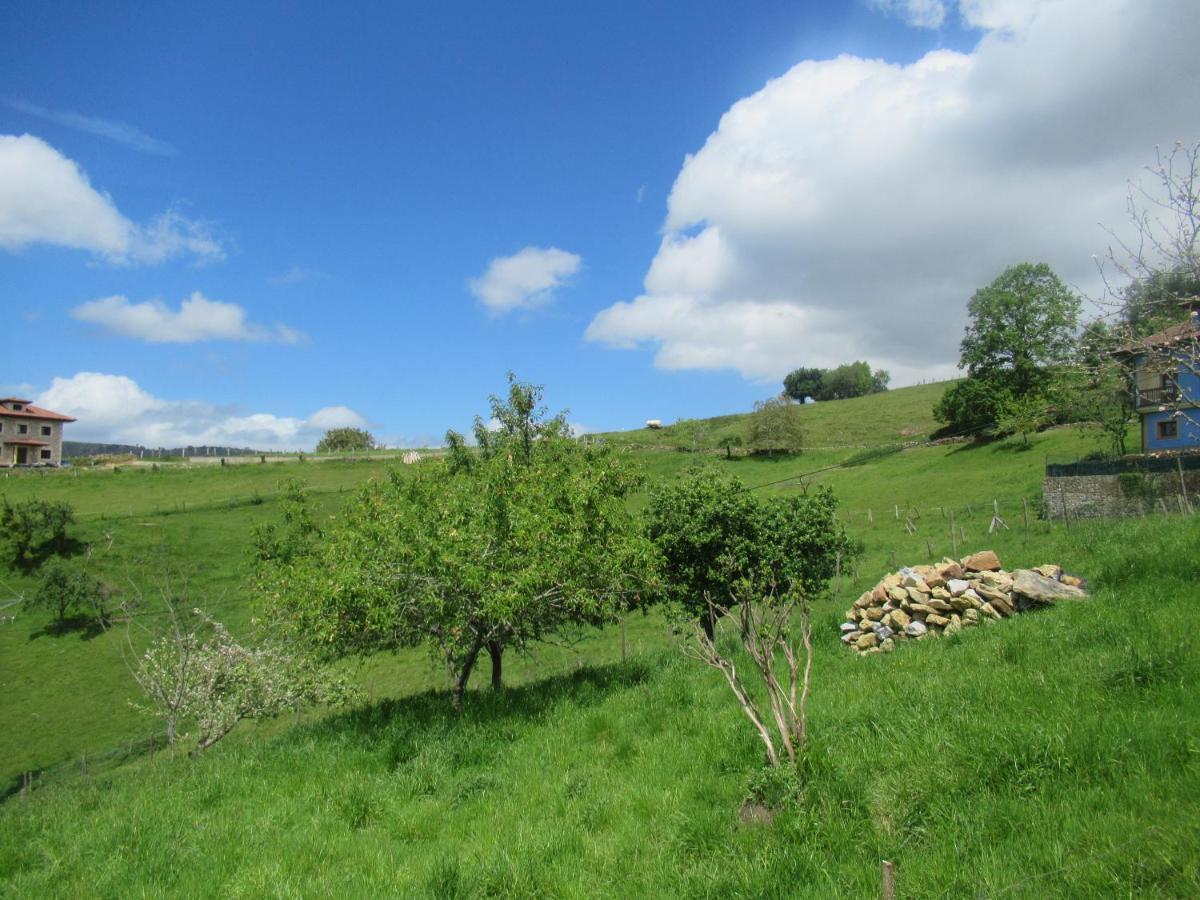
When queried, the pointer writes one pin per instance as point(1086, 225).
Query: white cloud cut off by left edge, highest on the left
point(46, 199)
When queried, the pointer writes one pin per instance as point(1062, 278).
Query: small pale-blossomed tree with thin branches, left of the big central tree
point(212, 682)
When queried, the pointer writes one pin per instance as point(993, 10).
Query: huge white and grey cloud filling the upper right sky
point(851, 207)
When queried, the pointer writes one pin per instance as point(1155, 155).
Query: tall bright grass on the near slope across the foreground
point(1057, 754)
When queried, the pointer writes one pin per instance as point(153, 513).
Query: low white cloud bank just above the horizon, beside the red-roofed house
point(115, 410)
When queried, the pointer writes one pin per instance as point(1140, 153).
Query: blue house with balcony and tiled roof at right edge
point(1167, 387)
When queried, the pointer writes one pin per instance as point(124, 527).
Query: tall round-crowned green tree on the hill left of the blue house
point(1021, 328)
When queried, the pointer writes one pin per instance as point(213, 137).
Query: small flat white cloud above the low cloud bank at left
point(197, 320)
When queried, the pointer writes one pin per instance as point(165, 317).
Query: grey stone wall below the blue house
point(1115, 496)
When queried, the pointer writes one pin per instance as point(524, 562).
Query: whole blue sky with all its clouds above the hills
point(241, 225)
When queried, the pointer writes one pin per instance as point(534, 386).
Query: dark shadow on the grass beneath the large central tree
point(434, 711)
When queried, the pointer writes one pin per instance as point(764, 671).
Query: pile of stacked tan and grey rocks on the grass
point(929, 601)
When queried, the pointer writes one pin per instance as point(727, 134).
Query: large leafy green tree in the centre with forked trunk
point(490, 550)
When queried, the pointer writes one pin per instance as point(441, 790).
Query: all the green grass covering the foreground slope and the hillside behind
point(1052, 755)
